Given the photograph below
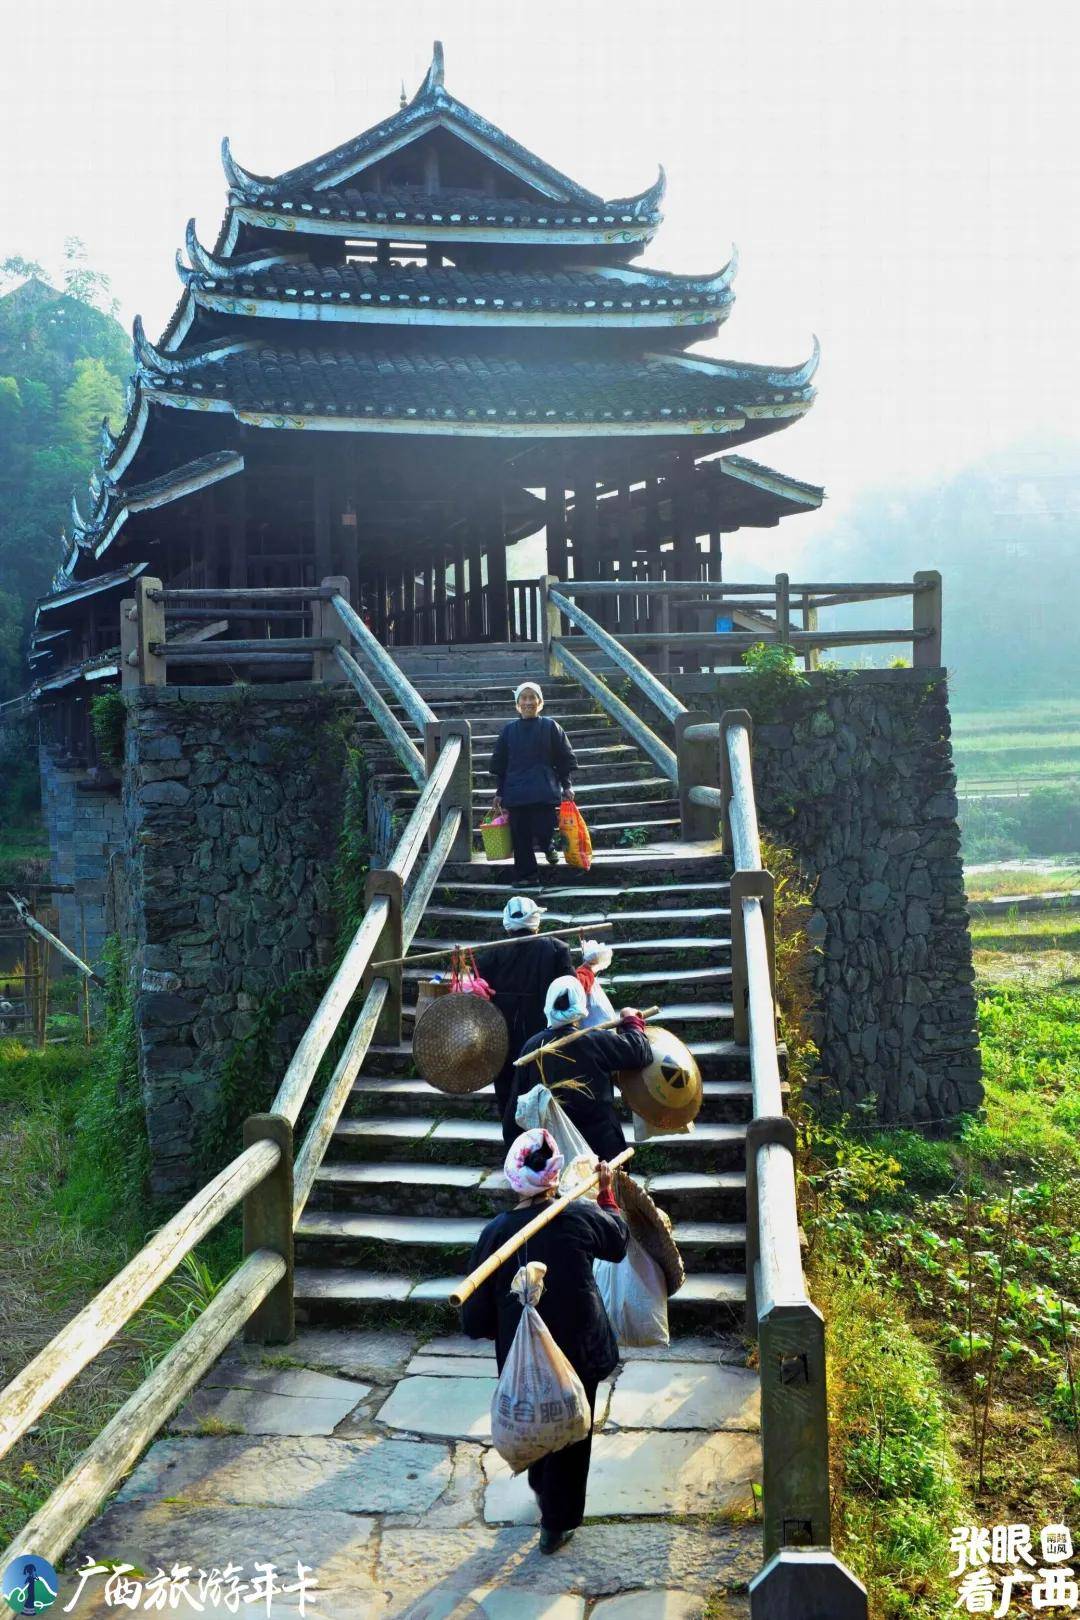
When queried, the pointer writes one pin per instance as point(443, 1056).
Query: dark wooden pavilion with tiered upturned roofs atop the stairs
point(396, 362)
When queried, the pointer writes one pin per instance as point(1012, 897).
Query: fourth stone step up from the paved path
point(710, 1146)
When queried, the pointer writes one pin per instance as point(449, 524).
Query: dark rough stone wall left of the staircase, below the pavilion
point(234, 808)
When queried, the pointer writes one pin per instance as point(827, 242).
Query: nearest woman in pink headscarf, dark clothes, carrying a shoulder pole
point(571, 1307)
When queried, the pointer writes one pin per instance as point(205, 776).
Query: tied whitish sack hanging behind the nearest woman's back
point(540, 1402)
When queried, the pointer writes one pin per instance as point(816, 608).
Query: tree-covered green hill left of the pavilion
point(64, 365)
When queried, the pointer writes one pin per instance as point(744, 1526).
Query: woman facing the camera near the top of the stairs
point(534, 765)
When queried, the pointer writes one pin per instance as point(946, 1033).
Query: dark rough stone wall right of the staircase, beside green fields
point(854, 774)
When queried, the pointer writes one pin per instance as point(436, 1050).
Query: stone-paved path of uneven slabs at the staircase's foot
point(368, 1457)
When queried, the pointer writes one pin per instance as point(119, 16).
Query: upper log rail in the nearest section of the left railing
point(33, 1391)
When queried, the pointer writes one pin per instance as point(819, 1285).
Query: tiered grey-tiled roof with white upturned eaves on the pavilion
point(428, 271)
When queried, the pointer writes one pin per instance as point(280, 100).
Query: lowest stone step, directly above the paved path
point(342, 1295)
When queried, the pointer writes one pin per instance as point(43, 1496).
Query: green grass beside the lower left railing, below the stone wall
point(74, 1211)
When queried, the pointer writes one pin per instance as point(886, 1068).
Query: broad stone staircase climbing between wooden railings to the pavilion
point(412, 1175)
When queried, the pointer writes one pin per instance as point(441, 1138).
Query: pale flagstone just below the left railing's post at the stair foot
point(271, 1402)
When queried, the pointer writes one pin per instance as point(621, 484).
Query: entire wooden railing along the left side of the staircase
point(266, 1179)
